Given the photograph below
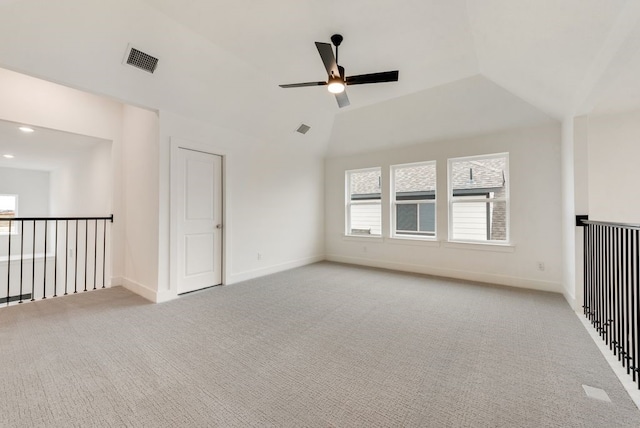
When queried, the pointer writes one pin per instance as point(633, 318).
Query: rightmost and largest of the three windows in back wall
point(479, 198)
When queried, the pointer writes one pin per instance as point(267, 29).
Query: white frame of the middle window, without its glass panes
point(394, 202)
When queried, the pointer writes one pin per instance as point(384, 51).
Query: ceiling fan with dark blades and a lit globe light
point(337, 81)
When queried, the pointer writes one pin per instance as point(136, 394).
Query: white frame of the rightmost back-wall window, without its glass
point(475, 197)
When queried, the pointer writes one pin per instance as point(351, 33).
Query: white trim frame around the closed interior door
point(176, 145)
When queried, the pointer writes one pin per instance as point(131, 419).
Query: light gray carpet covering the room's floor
point(321, 346)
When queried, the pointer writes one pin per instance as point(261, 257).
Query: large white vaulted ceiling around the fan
point(529, 61)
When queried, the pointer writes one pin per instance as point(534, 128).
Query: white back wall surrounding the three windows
point(535, 189)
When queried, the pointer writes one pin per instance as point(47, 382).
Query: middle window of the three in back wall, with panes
point(414, 199)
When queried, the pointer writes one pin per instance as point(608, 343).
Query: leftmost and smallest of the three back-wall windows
point(364, 212)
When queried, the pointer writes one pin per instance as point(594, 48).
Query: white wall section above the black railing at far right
point(614, 150)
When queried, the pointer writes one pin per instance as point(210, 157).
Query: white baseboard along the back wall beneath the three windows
point(489, 278)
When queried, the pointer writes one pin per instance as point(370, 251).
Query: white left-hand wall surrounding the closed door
point(274, 190)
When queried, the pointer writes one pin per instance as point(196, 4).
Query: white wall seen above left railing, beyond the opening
point(82, 187)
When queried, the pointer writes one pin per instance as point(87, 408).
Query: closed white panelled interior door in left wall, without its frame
point(199, 220)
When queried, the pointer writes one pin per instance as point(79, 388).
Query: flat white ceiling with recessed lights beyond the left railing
point(44, 150)
